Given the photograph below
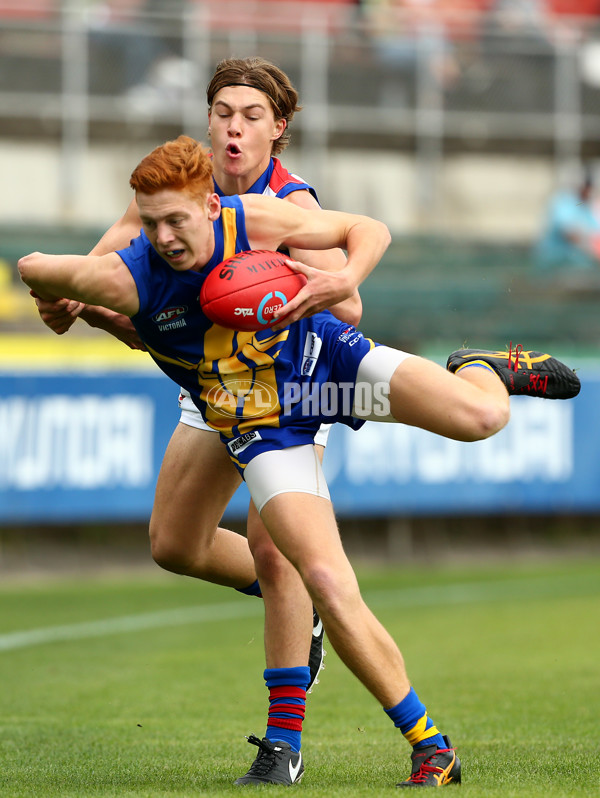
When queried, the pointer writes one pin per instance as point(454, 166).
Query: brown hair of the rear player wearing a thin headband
point(264, 76)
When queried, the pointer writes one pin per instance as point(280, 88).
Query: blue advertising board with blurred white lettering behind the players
point(77, 447)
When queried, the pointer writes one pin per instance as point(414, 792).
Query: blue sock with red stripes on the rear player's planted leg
point(287, 704)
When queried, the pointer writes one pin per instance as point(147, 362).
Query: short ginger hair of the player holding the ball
point(182, 165)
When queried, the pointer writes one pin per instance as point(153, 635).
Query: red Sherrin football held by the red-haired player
point(243, 292)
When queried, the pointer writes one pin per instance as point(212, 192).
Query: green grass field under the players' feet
point(146, 685)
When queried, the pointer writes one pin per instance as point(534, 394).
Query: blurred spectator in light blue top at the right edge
point(571, 235)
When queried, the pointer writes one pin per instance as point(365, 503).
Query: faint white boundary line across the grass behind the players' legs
point(466, 593)
